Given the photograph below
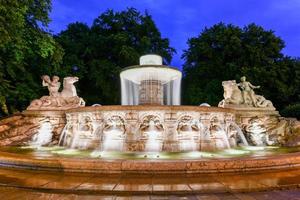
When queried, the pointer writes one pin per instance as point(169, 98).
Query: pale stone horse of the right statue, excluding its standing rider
point(233, 96)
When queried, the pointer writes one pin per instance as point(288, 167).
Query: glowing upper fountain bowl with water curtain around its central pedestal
point(150, 83)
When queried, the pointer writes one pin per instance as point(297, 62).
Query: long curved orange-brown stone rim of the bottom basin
point(88, 165)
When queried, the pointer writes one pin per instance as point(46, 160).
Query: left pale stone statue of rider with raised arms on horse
point(64, 100)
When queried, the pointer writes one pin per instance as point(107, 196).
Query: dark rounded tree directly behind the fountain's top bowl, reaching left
point(98, 53)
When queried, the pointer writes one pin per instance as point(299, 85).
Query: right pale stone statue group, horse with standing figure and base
point(242, 95)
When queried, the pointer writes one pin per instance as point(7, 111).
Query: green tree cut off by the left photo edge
point(26, 51)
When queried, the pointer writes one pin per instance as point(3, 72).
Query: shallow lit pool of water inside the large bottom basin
point(247, 151)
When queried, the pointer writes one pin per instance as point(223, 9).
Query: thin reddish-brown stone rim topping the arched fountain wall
point(184, 108)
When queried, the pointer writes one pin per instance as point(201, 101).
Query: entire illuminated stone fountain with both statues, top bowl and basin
point(151, 124)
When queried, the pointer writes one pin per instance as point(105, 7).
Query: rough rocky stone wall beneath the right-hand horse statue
point(264, 126)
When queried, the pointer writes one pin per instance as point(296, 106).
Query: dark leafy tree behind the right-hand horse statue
point(226, 52)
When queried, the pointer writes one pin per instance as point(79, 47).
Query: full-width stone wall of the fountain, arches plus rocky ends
point(173, 124)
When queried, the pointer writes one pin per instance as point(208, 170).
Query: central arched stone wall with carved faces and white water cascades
point(149, 128)
